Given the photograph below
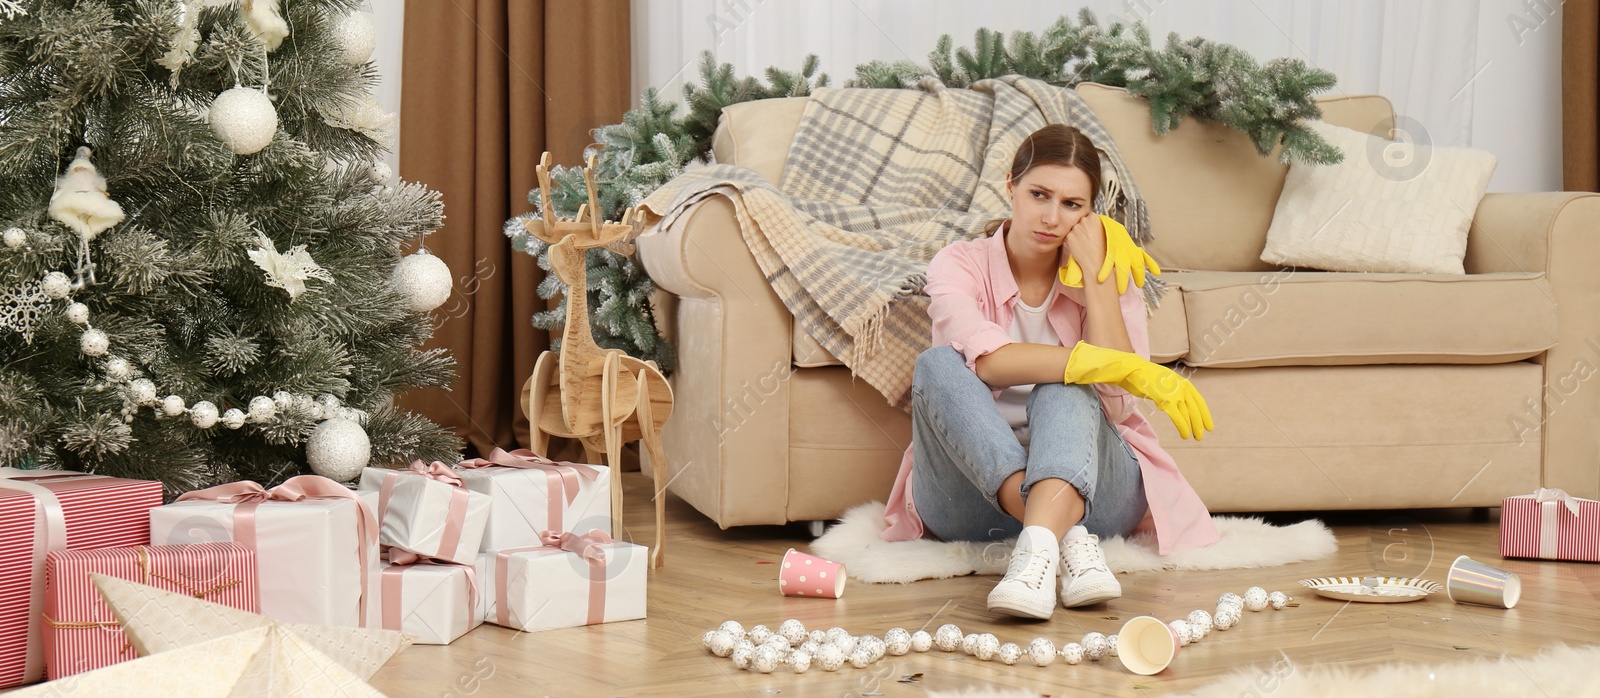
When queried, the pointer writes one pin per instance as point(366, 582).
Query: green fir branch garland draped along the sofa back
point(1193, 78)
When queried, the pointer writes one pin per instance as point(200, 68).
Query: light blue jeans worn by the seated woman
point(964, 451)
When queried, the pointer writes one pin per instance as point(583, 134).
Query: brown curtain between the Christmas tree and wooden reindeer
point(487, 87)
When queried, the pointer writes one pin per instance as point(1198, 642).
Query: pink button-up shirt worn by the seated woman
point(974, 295)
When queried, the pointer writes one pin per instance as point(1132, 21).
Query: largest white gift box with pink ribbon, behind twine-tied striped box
point(308, 555)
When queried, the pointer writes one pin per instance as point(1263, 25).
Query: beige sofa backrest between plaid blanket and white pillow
point(1210, 195)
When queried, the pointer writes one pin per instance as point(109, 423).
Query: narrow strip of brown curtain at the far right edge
point(1582, 95)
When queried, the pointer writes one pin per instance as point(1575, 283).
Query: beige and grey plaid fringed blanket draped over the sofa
point(879, 182)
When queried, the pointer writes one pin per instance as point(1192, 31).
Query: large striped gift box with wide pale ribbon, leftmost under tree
point(44, 511)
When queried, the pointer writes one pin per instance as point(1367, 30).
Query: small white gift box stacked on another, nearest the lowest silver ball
point(428, 516)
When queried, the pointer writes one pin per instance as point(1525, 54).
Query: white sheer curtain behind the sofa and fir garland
point(1447, 65)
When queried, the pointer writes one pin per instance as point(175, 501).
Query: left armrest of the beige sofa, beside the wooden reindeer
point(729, 439)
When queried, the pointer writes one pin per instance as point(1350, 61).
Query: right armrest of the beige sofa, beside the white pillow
point(1558, 235)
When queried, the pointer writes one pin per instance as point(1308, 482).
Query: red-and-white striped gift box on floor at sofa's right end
point(1551, 526)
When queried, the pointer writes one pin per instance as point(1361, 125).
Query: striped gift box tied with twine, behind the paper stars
point(81, 633)
